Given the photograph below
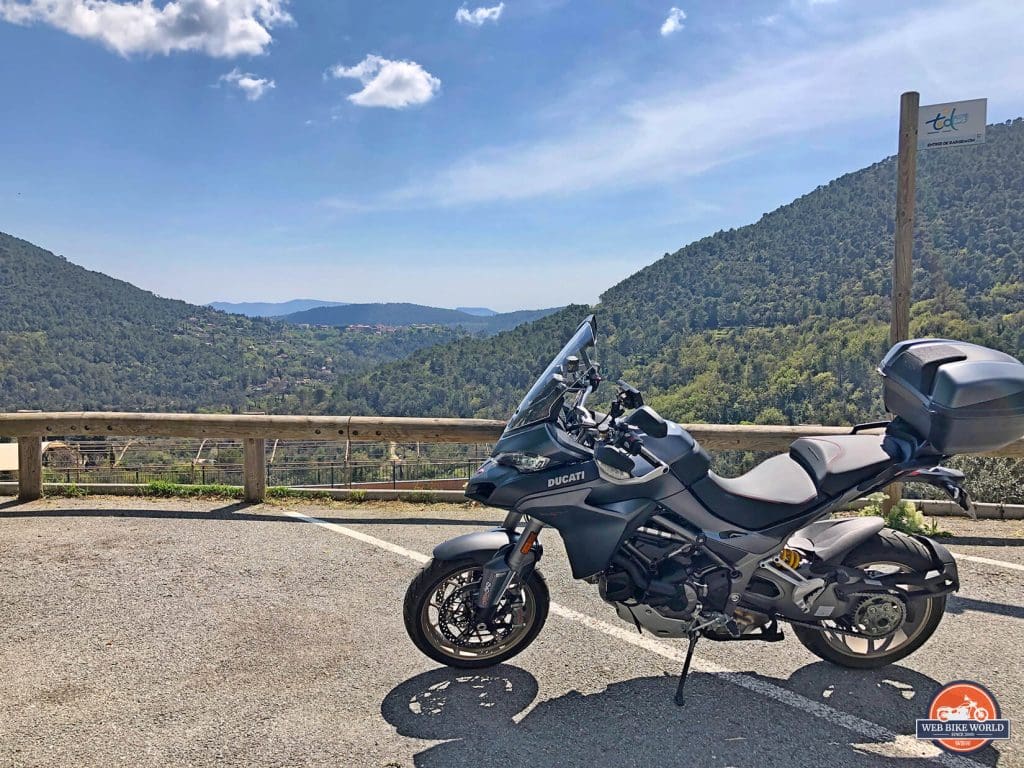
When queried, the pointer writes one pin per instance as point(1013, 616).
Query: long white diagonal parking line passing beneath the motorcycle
point(883, 741)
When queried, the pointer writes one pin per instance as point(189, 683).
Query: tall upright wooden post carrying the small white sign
point(907, 180)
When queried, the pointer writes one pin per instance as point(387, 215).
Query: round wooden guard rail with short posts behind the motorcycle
point(254, 431)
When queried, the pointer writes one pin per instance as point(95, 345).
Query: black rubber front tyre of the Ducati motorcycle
point(431, 639)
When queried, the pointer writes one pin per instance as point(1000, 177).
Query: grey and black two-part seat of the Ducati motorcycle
point(789, 485)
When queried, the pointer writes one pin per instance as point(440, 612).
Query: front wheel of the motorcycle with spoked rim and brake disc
point(439, 613)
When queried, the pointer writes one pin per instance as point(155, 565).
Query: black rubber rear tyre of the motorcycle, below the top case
point(894, 548)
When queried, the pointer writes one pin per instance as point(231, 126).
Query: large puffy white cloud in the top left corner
point(219, 28)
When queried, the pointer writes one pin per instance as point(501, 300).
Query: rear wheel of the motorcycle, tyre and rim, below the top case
point(898, 629)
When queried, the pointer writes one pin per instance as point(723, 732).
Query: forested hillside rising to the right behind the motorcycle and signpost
point(780, 322)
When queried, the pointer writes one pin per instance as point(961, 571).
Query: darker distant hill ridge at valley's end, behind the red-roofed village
point(413, 315)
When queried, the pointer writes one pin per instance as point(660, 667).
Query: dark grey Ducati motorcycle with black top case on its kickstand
point(681, 552)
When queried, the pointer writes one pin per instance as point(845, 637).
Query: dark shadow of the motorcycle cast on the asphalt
point(485, 718)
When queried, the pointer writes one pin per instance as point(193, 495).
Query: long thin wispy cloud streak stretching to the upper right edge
point(677, 132)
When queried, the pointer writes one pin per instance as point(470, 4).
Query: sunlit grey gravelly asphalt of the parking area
point(143, 633)
